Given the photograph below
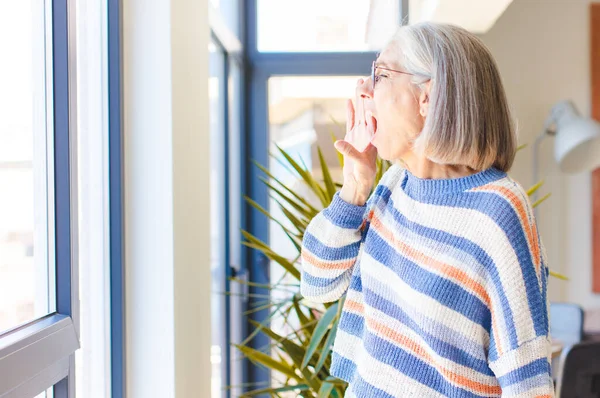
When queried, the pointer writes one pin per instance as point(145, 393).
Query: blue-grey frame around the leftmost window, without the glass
point(39, 355)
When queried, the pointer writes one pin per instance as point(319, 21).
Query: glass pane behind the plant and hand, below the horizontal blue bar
point(304, 112)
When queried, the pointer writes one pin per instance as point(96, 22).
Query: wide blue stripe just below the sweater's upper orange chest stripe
point(441, 289)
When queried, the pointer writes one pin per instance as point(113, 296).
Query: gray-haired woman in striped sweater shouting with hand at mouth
point(442, 268)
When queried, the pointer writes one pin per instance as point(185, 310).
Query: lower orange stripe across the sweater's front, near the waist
point(417, 350)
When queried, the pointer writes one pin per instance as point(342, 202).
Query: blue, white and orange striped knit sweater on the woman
point(445, 288)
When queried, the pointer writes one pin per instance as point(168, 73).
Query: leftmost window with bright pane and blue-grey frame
point(37, 312)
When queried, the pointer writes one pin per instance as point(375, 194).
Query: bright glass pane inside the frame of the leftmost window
point(26, 206)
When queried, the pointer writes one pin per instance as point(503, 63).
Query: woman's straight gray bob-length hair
point(469, 121)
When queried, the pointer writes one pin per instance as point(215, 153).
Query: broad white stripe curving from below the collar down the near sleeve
point(483, 231)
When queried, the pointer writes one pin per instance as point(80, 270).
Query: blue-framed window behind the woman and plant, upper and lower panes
point(304, 60)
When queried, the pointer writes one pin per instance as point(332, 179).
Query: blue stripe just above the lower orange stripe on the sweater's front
point(440, 347)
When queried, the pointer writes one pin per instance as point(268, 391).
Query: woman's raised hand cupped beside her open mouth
point(360, 155)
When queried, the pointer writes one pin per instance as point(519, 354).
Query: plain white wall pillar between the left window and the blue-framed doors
point(167, 236)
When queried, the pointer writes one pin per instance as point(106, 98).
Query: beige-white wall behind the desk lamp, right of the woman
point(542, 48)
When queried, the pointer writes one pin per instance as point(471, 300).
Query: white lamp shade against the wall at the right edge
point(577, 144)
